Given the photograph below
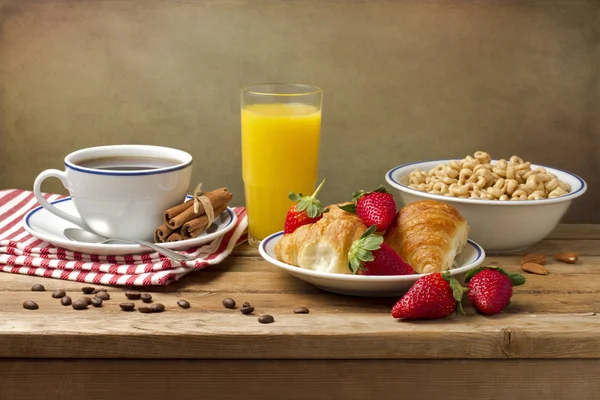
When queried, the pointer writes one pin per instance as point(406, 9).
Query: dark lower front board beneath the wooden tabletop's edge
point(300, 379)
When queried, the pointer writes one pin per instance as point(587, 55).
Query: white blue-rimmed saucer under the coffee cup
point(48, 227)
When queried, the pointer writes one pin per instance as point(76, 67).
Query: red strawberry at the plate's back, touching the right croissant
point(373, 208)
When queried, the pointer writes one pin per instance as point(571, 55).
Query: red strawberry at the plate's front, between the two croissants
point(370, 256)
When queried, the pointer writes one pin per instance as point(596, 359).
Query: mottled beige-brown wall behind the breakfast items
point(403, 80)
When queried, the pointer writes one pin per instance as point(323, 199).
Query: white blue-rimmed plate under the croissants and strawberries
point(360, 285)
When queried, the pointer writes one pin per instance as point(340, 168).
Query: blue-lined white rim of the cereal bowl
point(389, 177)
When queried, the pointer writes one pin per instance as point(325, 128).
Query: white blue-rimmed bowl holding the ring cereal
point(498, 226)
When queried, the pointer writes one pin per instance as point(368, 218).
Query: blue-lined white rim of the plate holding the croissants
point(262, 248)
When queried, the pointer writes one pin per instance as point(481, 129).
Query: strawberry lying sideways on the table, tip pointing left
point(435, 295)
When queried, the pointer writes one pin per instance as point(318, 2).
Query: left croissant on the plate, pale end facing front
point(322, 246)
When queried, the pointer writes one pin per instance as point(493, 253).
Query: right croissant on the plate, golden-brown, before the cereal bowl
point(428, 235)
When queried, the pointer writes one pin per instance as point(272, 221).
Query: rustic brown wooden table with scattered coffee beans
point(546, 345)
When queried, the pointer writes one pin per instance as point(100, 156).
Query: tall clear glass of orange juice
point(281, 128)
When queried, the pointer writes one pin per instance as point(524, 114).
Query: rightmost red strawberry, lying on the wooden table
point(490, 288)
